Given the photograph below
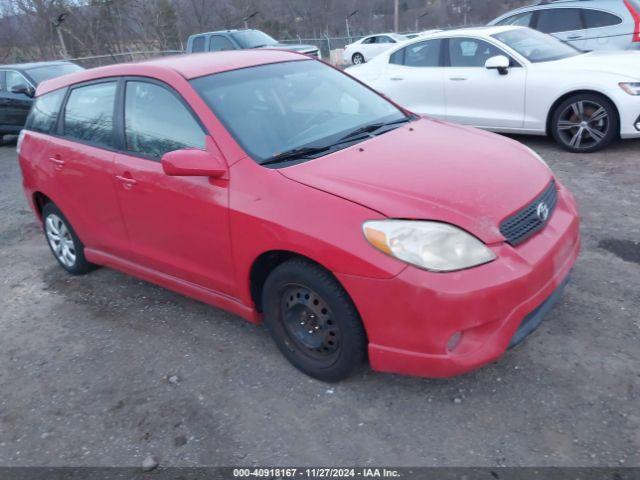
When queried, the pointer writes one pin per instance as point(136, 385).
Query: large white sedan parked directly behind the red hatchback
point(514, 80)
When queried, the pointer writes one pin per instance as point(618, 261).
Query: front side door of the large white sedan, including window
point(478, 96)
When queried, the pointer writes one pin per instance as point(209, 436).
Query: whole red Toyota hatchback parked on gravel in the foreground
point(280, 189)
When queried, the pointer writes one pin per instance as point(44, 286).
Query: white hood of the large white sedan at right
point(624, 62)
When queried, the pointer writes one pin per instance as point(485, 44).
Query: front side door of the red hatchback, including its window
point(178, 226)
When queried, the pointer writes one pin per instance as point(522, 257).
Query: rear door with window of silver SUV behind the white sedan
point(564, 23)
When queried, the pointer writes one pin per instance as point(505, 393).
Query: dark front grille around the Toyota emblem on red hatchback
point(526, 222)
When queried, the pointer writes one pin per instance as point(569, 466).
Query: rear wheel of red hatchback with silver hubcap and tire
point(65, 245)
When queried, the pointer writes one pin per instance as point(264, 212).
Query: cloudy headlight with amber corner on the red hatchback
point(434, 246)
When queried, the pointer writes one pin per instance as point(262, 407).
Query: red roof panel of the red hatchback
point(189, 66)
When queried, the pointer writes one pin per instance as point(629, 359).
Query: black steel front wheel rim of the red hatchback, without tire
point(309, 324)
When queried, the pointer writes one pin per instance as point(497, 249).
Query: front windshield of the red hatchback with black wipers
point(294, 111)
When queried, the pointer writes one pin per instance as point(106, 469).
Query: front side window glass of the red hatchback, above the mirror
point(157, 122)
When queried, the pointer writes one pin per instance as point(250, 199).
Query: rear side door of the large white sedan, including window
point(414, 78)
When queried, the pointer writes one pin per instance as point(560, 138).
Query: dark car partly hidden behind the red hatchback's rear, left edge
point(17, 86)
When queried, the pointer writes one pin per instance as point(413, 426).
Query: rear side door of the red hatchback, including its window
point(82, 159)
